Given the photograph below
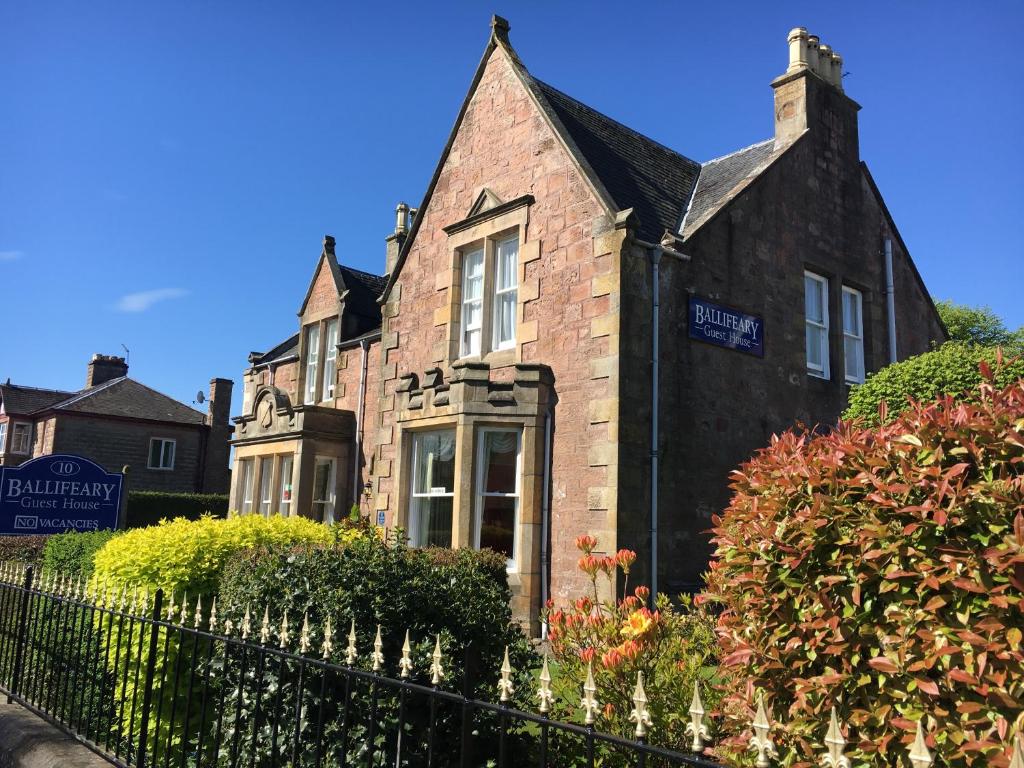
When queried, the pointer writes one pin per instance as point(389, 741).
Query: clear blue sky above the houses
point(163, 164)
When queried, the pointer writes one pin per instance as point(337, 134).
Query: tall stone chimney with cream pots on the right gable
point(809, 97)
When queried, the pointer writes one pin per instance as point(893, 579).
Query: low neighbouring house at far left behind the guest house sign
point(118, 422)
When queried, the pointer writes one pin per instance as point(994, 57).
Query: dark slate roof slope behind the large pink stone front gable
point(636, 172)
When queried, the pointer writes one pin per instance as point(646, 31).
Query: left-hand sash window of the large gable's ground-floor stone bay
point(433, 489)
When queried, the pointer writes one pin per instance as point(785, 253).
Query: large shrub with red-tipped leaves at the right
point(882, 572)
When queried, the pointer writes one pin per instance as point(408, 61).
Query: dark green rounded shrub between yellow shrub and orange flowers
point(461, 596)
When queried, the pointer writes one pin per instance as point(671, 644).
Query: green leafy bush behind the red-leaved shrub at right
point(951, 370)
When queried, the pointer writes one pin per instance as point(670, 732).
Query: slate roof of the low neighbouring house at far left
point(122, 397)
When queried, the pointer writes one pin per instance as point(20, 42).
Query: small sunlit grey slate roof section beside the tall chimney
point(721, 180)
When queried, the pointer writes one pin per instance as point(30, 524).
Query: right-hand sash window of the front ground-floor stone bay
point(497, 499)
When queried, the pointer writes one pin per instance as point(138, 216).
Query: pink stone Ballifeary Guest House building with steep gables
point(581, 330)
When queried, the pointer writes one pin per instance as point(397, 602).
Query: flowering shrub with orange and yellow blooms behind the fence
point(673, 647)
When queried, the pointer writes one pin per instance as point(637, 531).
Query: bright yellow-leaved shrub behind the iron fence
point(185, 559)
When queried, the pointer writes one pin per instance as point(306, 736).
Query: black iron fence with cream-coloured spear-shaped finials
point(147, 684)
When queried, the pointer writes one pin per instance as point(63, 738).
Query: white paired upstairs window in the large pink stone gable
point(490, 289)
